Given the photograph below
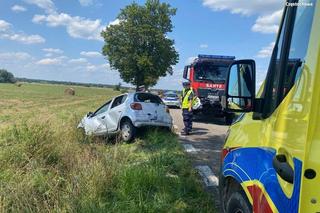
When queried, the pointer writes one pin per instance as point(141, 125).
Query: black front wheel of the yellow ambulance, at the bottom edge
point(238, 203)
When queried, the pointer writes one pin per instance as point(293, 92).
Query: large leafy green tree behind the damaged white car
point(138, 46)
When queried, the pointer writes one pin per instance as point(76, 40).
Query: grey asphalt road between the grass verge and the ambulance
point(204, 147)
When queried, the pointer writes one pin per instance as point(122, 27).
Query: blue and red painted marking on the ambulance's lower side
point(252, 168)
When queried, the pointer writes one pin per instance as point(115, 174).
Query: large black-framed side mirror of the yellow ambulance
point(240, 87)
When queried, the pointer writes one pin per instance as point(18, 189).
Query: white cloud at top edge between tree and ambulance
point(269, 11)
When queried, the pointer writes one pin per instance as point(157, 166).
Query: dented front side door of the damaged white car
point(97, 122)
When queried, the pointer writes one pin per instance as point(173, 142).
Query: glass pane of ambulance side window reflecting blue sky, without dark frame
point(299, 44)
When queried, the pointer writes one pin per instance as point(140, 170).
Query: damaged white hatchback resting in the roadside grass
point(125, 113)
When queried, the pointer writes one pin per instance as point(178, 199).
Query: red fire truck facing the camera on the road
point(207, 75)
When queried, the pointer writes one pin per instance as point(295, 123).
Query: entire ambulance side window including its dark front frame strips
point(289, 53)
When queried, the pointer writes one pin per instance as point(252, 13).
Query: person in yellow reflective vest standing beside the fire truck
point(187, 100)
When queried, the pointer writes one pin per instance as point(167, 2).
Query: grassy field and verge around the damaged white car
point(46, 165)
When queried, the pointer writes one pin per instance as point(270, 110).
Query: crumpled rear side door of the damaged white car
point(114, 114)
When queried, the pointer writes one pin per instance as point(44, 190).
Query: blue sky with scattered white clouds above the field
point(60, 40)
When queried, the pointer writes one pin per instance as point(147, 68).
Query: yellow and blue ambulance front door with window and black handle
point(285, 126)
